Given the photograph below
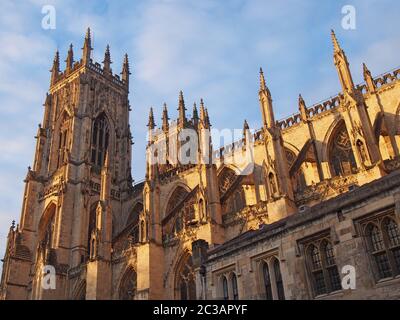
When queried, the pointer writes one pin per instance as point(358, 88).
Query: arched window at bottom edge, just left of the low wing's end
point(186, 284)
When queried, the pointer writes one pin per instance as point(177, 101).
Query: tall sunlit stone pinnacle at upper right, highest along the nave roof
point(342, 66)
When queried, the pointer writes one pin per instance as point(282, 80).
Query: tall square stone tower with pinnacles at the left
point(78, 183)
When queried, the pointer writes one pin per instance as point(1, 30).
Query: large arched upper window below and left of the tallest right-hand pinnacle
point(341, 153)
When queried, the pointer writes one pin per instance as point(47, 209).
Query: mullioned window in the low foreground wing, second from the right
point(323, 269)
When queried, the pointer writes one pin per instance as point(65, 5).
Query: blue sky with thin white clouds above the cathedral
point(207, 48)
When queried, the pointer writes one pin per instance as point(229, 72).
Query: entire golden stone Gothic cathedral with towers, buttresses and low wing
point(312, 213)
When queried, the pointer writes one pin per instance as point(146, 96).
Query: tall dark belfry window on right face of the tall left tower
point(100, 137)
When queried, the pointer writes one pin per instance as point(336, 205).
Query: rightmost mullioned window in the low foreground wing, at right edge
point(383, 241)
